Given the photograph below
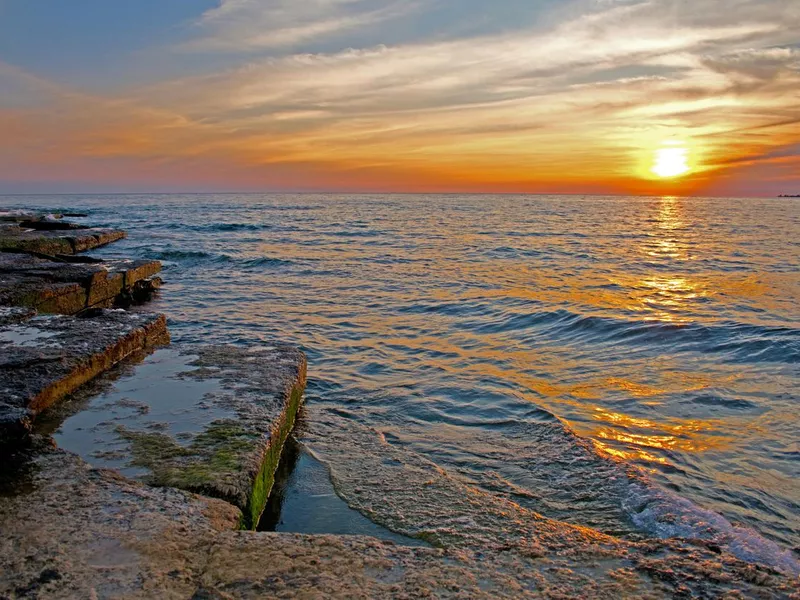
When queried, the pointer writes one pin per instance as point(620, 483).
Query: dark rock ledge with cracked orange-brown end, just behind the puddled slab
point(54, 285)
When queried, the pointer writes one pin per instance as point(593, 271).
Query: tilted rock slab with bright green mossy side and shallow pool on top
point(238, 405)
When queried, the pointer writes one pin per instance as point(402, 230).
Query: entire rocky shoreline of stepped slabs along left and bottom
point(179, 525)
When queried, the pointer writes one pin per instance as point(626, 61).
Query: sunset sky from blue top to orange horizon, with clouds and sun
point(668, 97)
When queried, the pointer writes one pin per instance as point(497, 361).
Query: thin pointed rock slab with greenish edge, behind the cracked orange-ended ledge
point(17, 238)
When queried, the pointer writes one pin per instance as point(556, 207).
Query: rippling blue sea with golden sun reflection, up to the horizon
point(625, 364)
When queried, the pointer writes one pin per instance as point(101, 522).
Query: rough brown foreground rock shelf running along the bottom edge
point(73, 531)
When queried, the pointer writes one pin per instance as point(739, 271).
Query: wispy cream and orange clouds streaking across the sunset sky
point(582, 103)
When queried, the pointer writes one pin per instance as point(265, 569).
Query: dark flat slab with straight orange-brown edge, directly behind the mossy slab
point(44, 358)
